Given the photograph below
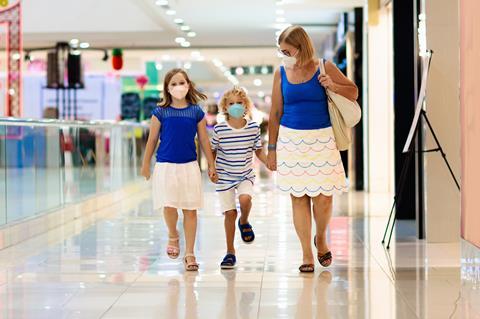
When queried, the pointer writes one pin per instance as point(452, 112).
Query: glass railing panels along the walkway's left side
point(47, 164)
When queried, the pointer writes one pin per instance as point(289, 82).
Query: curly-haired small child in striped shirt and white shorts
point(234, 142)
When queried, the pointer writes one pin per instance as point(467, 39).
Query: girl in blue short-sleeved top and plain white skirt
point(176, 178)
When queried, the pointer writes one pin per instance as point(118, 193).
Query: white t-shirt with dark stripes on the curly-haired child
point(235, 149)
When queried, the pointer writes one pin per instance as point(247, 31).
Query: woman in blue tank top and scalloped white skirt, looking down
point(306, 157)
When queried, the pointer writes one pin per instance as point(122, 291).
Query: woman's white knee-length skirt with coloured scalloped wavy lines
point(309, 163)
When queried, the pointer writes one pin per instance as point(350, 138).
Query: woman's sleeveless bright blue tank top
point(305, 105)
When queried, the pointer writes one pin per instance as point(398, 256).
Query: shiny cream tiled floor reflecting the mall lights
point(116, 268)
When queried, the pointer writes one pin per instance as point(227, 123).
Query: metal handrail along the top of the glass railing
point(13, 121)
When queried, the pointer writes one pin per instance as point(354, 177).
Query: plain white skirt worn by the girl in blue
point(177, 186)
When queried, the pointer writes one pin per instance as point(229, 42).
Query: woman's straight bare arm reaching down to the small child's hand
point(276, 113)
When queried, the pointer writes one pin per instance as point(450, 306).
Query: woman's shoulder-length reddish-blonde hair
point(296, 36)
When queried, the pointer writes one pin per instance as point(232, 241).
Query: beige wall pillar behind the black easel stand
point(443, 109)
